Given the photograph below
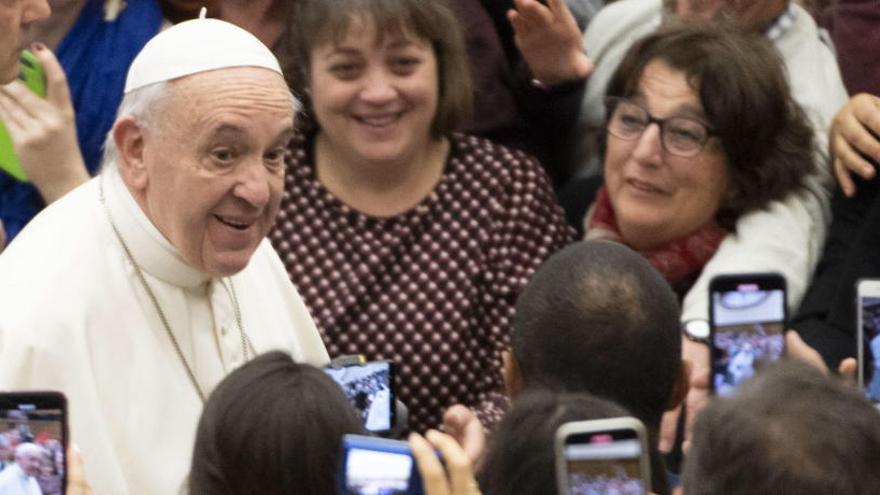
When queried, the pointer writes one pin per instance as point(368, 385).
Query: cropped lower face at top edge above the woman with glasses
point(749, 14)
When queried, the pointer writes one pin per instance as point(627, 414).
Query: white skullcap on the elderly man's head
point(195, 46)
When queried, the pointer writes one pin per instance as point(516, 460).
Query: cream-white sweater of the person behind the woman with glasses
point(788, 236)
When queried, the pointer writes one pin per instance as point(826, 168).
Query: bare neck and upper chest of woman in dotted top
point(383, 188)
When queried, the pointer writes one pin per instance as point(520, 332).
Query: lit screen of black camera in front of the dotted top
point(369, 385)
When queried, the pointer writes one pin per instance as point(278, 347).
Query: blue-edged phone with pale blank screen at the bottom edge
point(377, 466)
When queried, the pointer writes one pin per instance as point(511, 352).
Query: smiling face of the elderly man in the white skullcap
point(213, 165)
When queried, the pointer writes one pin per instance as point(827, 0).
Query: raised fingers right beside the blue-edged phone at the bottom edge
point(456, 479)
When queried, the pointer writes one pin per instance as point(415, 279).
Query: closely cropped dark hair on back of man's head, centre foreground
point(597, 317)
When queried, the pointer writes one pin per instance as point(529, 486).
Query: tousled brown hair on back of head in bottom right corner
point(791, 429)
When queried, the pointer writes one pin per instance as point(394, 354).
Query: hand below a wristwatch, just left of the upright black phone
point(698, 396)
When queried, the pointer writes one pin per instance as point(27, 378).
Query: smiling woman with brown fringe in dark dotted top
point(408, 241)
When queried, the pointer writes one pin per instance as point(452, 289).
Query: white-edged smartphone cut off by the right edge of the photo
point(868, 336)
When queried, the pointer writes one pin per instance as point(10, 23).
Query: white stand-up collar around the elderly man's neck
point(149, 248)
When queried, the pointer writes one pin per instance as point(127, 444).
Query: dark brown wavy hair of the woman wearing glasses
point(741, 83)
